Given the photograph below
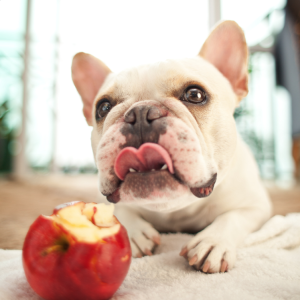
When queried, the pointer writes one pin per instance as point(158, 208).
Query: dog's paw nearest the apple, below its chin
point(143, 239)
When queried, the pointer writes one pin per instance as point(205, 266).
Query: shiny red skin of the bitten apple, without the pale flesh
point(78, 270)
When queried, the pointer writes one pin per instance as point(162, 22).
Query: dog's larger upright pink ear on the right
point(226, 49)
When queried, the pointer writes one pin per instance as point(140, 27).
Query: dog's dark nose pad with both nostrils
point(143, 115)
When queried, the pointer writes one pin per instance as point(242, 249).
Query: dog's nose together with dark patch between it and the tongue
point(143, 124)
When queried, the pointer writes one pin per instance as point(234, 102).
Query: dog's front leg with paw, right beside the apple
point(143, 237)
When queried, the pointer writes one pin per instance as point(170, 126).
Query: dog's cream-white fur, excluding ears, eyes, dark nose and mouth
point(239, 203)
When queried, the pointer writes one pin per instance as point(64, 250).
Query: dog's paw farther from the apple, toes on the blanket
point(209, 254)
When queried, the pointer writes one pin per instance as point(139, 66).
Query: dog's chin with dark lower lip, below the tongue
point(158, 191)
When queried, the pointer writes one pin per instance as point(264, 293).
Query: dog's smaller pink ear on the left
point(88, 74)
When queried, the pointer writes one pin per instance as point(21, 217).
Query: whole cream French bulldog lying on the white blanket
point(167, 149)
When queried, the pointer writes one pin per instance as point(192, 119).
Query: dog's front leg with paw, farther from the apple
point(214, 248)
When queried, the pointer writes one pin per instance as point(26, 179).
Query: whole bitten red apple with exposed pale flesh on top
point(79, 252)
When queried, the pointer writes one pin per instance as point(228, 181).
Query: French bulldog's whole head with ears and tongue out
point(163, 133)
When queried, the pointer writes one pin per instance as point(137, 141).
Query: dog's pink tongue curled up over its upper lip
point(149, 156)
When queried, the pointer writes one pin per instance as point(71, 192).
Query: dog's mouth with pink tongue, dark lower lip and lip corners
point(150, 168)
